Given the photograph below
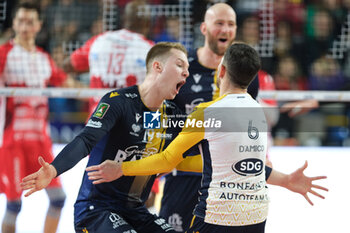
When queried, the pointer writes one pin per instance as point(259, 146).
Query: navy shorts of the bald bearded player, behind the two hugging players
point(180, 196)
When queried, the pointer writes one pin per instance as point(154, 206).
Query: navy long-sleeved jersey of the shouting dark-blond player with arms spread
point(118, 130)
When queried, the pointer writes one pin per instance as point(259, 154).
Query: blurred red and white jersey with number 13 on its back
point(116, 59)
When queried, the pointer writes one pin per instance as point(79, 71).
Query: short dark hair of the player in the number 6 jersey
point(242, 64)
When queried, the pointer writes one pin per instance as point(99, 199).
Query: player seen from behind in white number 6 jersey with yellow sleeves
point(232, 132)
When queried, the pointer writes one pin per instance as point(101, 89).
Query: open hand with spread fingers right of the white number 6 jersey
point(299, 183)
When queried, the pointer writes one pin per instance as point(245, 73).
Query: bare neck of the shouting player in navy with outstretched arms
point(149, 96)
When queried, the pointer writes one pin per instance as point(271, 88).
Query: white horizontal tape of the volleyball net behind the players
point(325, 96)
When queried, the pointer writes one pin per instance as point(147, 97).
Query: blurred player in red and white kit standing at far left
point(25, 130)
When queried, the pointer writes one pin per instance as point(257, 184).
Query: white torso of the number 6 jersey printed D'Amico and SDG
point(234, 191)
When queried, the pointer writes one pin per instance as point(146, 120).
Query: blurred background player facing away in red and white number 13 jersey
point(116, 59)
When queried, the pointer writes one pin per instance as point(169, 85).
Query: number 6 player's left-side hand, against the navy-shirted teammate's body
point(105, 172)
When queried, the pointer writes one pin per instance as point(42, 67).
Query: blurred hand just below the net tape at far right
point(299, 107)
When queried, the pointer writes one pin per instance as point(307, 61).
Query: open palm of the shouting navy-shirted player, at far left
point(40, 179)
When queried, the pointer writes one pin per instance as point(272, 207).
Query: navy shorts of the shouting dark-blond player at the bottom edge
point(101, 221)
